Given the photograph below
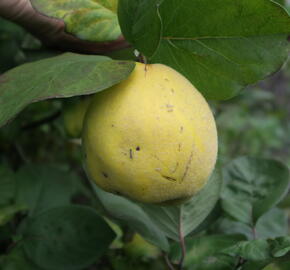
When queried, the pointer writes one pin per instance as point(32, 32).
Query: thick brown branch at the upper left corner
point(51, 31)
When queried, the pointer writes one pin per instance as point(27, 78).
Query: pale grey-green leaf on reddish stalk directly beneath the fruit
point(183, 219)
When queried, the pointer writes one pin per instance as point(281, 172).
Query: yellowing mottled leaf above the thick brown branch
point(93, 20)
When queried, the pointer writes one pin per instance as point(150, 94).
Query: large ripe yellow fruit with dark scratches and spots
point(151, 138)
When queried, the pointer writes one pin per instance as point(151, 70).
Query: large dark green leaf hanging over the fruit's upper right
point(221, 46)
